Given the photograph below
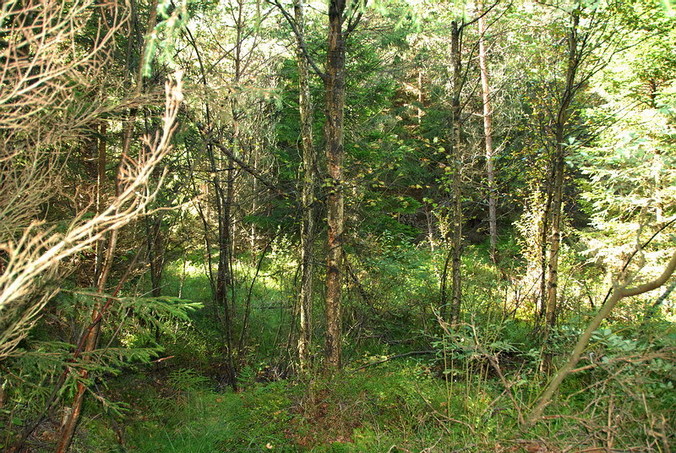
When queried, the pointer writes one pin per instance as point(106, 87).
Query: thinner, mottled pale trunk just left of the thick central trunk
point(307, 198)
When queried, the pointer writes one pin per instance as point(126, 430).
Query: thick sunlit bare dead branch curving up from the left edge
point(35, 256)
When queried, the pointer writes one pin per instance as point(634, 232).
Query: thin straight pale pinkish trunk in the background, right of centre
point(488, 140)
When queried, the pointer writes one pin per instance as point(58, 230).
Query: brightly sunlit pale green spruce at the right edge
point(625, 171)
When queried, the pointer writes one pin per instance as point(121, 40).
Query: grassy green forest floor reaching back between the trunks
point(413, 404)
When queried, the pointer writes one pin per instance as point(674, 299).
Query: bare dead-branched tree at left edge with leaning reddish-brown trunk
point(55, 104)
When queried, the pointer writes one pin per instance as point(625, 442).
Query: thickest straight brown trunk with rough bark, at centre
point(334, 83)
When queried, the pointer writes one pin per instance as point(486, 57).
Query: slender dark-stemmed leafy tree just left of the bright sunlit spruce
point(557, 95)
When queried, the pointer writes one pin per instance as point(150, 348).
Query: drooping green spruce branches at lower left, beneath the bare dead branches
point(54, 367)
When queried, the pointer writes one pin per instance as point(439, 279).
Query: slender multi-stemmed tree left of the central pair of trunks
point(231, 118)
